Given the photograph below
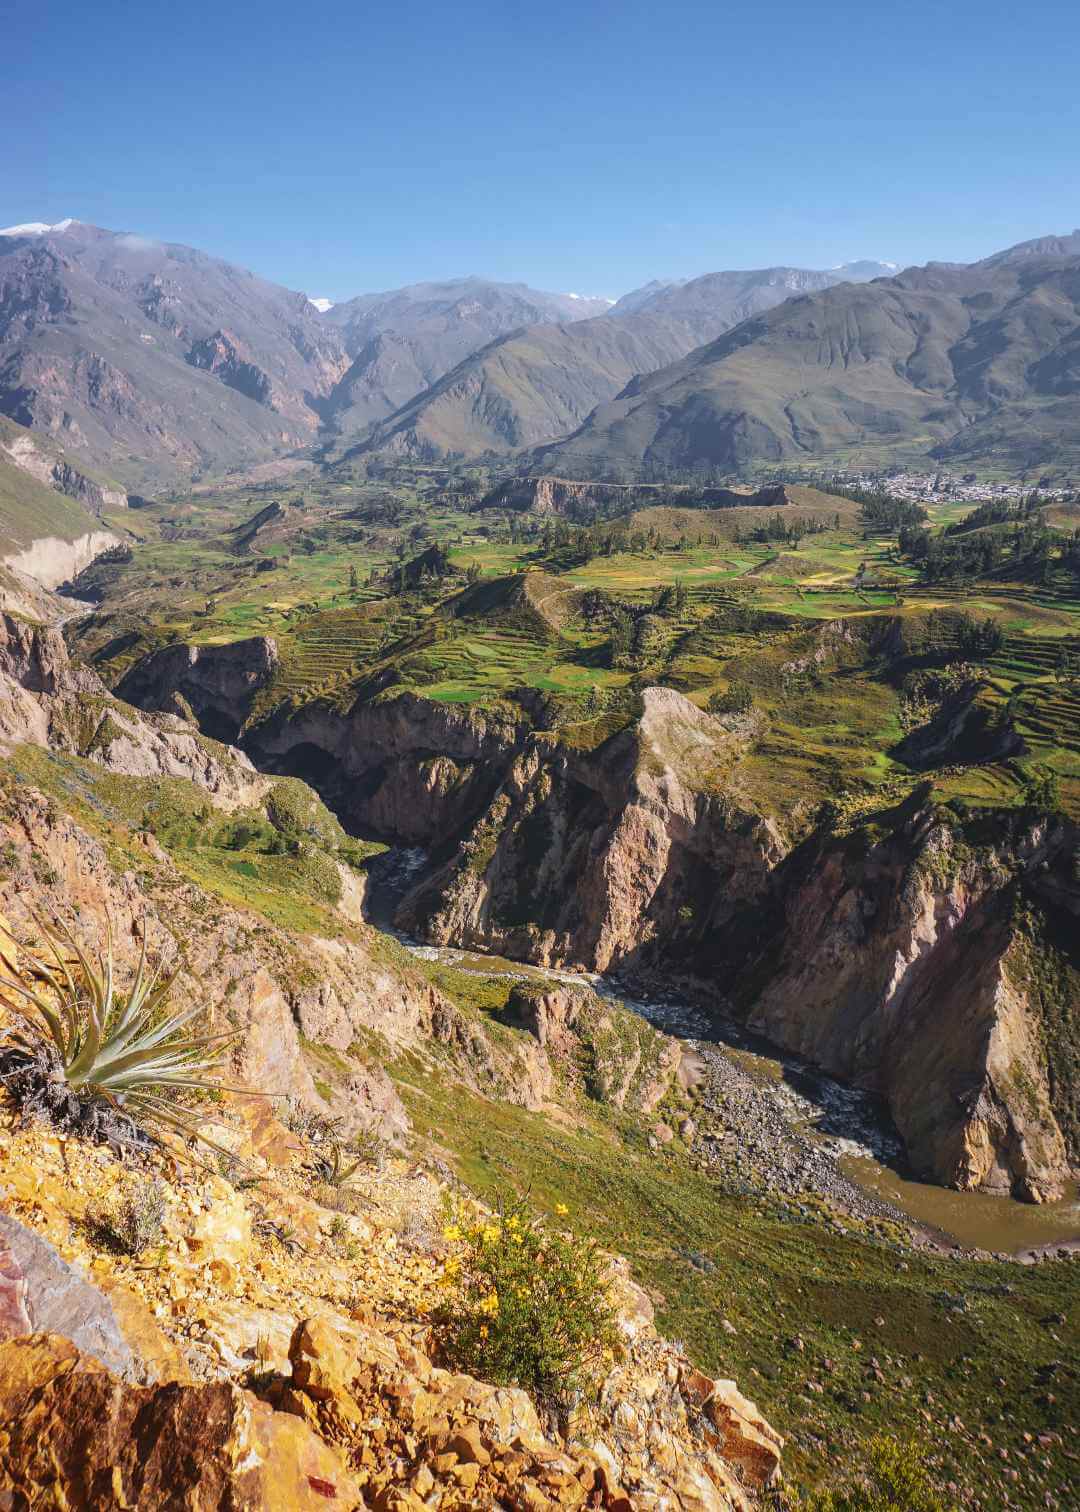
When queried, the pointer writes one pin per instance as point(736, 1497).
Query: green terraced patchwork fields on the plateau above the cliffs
point(511, 604)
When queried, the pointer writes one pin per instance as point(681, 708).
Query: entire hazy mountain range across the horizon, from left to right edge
point(158, 364)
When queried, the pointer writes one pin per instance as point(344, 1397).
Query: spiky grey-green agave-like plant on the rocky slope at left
point(96, 1061)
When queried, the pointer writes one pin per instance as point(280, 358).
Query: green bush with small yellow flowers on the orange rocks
point(526, 1306)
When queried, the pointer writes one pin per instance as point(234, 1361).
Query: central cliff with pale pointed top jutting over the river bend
point(592, 861)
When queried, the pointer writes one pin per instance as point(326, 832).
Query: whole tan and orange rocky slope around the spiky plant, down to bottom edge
point(278, 1349)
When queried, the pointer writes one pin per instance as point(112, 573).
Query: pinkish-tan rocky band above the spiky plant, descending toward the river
point(275, 990)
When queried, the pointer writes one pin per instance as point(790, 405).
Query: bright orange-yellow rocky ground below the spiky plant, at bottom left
point(281, 1354)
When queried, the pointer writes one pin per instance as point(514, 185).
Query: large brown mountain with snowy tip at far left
point(157, 361)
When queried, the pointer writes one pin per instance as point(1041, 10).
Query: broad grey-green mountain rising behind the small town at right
point(969, 364)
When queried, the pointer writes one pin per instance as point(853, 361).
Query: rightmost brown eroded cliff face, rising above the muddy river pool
point(899, 967)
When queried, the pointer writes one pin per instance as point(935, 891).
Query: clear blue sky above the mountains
point(586, 147)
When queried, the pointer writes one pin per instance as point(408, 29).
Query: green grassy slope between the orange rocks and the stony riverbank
point(907, 1345)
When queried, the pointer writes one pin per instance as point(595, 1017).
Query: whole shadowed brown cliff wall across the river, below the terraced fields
point(887, 956)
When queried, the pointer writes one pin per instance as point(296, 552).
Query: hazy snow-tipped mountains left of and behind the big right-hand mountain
point(164, 364)
